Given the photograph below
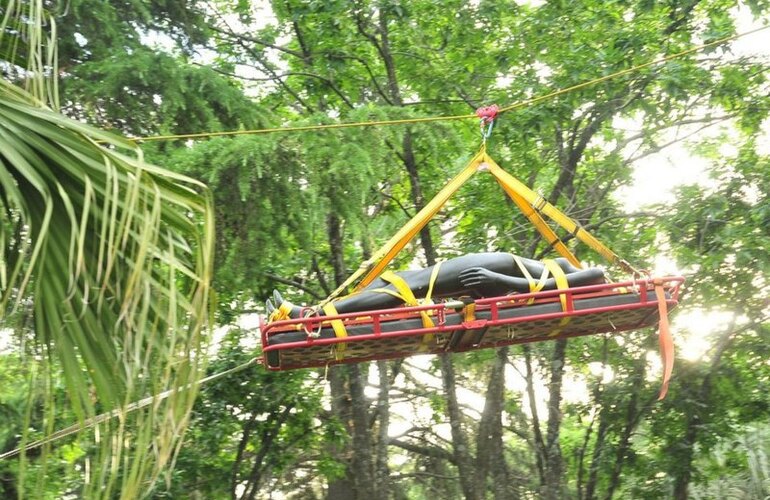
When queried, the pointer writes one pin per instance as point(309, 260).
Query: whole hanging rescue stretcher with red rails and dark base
point(459, 326)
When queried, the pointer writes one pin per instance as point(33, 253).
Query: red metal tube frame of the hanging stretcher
point(439, 311)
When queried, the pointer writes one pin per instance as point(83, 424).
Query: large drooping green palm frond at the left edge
point(112, 259)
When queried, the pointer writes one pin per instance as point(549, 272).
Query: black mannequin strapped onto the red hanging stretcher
point(487, 274)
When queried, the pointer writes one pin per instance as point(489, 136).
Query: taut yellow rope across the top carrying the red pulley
point(520, 104)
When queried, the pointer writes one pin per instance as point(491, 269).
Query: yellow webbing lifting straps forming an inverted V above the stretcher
point(533, 205)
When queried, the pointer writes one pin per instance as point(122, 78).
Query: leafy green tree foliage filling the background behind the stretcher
point(297, 211)
